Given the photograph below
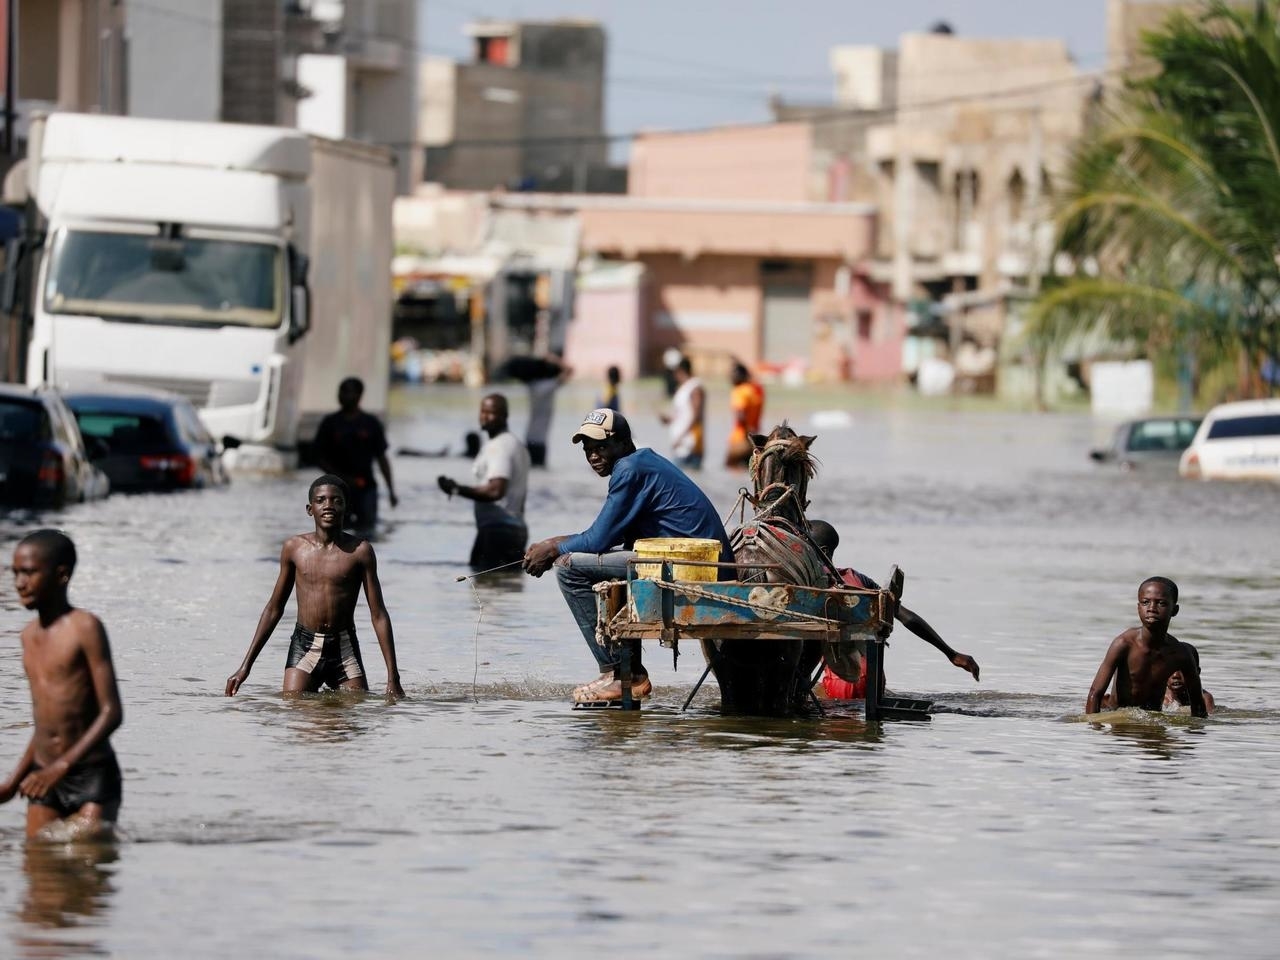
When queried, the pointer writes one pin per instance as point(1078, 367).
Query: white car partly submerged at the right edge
point(1236, 442)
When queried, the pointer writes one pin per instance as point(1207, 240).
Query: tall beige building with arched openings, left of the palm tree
point(964, 176)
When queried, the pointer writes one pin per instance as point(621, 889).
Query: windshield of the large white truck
point(154, 280)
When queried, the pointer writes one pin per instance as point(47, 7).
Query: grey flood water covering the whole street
point(483, 817)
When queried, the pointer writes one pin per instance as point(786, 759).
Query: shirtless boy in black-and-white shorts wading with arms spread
point(330, 568)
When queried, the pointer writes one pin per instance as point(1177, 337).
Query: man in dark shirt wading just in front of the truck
point(348, 445)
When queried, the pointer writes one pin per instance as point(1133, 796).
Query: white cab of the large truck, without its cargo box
point(171, 259)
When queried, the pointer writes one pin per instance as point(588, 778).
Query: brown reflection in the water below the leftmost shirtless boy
point(67, 888)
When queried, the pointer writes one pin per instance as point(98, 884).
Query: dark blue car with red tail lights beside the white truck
point(150, 440)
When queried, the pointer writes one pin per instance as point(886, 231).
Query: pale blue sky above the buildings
point(696, 63)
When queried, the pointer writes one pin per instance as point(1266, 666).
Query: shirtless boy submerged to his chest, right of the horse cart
point(1144, 659)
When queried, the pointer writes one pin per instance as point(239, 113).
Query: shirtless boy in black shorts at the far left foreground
point(68, 772)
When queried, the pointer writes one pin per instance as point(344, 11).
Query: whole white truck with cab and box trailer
point(246, 268)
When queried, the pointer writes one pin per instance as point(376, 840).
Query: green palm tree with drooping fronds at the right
point(1172, 208)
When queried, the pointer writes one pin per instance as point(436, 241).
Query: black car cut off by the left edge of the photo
point(44, 460)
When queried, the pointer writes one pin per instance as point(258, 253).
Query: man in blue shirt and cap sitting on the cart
point(648, 496)
